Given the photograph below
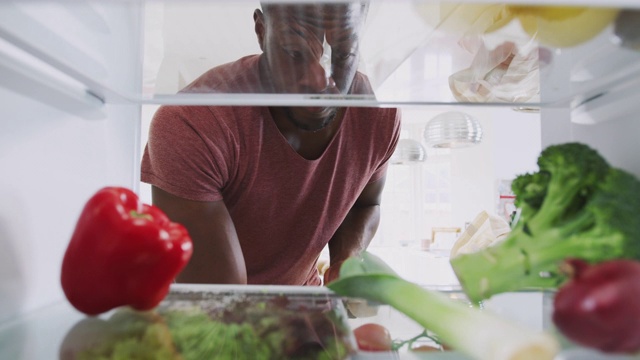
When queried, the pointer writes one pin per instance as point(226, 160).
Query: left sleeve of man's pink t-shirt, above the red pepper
point(179, 160)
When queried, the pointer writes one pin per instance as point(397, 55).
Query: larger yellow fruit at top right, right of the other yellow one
point(563, 26)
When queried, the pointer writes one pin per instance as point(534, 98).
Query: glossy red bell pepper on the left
point(122, 252)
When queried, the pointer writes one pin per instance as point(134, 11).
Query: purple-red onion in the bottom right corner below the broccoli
point(599, 306)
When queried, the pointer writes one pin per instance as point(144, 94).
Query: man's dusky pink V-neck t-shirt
point(285, 208)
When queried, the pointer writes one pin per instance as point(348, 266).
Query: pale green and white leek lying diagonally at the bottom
point(474, 332)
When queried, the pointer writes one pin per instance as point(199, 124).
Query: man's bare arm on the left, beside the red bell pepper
point(217, 257)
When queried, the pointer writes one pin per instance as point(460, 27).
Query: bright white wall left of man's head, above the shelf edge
point(198, 36)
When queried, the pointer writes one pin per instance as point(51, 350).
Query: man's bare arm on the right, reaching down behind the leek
point(357, 229)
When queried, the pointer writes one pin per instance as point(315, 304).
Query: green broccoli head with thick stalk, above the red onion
point(576, 205)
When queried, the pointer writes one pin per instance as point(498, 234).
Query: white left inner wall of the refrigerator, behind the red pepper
point(59, 141)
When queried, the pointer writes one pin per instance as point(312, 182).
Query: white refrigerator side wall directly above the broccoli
point(607, 118)
